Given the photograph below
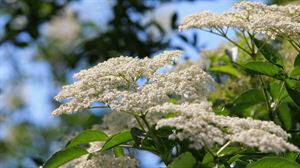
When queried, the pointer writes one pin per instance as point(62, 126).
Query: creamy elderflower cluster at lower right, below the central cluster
point(198, 124)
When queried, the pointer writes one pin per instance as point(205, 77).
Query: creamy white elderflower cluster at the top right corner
point(252, 17)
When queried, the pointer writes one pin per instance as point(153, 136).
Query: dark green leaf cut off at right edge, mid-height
point(293, 88)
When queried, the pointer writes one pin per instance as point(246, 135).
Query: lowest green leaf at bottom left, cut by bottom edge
point(61, 157)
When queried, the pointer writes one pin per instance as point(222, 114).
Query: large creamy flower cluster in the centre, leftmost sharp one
point(114, 83)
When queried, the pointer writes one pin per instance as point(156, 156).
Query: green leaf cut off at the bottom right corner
point(274, 162)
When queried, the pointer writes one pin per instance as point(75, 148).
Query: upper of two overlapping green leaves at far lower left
point(87, 136)
